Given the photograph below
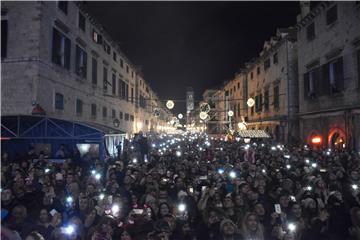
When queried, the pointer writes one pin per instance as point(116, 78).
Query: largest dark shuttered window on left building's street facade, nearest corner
point(60, 49)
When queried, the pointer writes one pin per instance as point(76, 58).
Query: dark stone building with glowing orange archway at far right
point(329, 74)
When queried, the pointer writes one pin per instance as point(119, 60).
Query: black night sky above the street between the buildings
point(197, 44)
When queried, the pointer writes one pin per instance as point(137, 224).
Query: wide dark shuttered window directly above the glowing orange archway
point(333, 77)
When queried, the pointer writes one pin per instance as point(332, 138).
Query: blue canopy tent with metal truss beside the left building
point(20, 132)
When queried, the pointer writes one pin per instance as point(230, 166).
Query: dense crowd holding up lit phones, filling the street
point(188, 186)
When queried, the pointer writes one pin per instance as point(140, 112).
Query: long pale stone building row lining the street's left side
point(57, 59)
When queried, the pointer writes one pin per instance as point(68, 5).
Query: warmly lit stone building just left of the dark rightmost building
point(272, 81)
